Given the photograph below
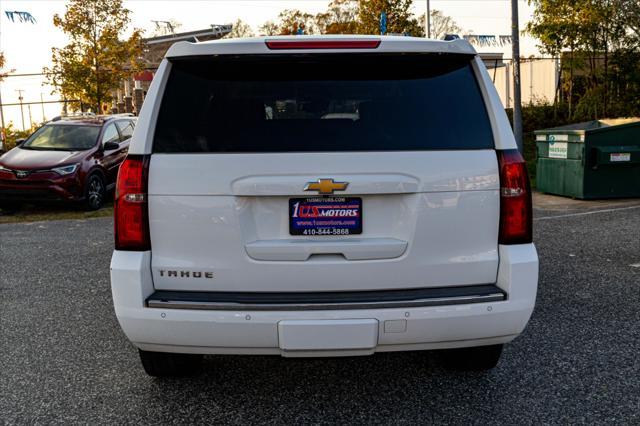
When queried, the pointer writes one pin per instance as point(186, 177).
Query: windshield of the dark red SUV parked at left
point(63, 138)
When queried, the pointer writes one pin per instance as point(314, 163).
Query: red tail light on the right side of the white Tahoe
point(515, 199)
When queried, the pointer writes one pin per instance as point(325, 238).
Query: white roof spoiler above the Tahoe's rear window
point(257, 45)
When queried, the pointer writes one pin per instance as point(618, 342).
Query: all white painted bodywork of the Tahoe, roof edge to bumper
point(430, 220)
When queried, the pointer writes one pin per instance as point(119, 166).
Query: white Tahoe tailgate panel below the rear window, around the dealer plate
point(430, 219)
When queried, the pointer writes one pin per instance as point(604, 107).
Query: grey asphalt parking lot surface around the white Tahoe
point(64, 359)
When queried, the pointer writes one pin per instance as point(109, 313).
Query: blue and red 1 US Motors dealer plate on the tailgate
point(325, 216)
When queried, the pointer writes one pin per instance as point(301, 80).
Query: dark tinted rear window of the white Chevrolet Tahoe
point(322, 102)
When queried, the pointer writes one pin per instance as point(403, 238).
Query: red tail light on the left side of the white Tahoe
point(131, 212)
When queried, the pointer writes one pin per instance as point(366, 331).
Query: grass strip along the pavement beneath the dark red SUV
point(37, 213)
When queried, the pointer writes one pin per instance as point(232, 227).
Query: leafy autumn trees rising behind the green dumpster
point(598, 41)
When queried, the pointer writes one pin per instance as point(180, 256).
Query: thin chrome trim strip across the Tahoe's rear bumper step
point(224, 306)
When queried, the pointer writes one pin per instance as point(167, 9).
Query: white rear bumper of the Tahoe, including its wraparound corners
point(327, 332)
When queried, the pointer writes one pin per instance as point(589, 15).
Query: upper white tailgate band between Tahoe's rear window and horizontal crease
point(286, 174)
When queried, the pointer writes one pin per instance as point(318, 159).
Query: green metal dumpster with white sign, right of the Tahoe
point(594, 159)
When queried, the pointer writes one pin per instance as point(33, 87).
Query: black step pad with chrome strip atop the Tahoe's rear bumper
point(254, 301)
